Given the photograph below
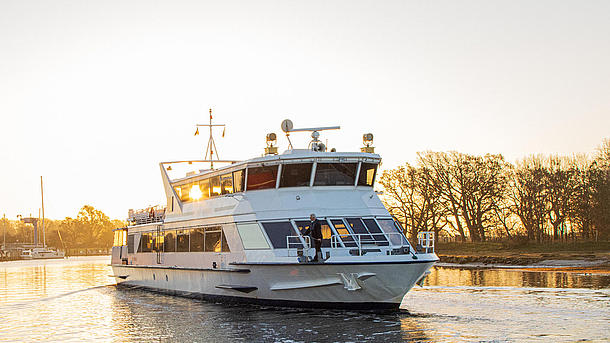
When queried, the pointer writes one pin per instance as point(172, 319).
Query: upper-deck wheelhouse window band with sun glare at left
point(292, 175)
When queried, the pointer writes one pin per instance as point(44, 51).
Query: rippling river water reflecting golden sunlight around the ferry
point(76, 300)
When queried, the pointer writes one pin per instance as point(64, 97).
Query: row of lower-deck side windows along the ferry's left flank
point(209, 239)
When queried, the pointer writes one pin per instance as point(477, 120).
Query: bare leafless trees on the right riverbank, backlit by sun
point(478, 198)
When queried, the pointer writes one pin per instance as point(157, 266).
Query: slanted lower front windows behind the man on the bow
point(380, 232)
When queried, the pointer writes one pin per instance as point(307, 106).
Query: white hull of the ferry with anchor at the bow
point(373, 286)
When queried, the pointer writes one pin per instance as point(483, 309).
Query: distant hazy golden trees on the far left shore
point(90, 229)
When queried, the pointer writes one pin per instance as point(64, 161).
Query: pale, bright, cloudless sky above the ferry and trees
point(94, 94)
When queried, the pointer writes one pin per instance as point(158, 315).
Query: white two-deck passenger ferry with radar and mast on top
point(235, 232)
